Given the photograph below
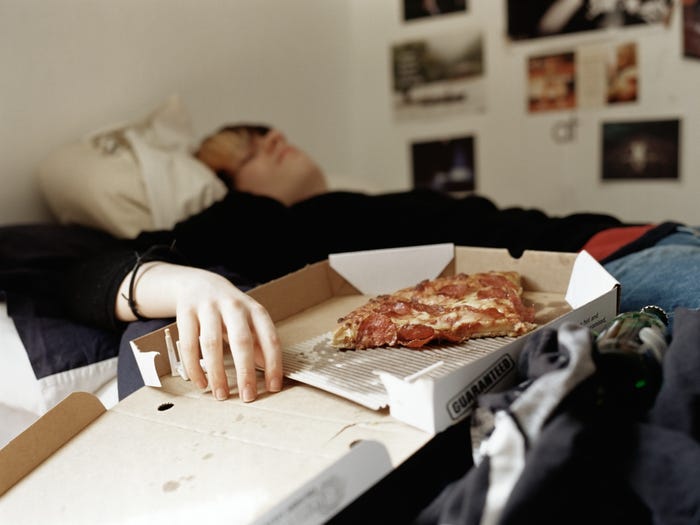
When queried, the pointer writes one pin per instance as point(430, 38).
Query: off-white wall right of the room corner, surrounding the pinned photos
point(518, 163)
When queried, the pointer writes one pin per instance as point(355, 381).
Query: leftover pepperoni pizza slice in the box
point(445, 309)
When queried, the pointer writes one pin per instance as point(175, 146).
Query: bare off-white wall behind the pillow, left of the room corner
point(71, 66)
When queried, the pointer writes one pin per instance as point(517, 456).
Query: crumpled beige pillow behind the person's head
point(131, 178)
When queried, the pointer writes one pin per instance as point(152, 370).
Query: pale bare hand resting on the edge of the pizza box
point(208, 308)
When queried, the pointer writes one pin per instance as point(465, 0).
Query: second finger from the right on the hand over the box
point(242, 345)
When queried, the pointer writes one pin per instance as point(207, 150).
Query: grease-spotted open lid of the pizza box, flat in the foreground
point(175, 455)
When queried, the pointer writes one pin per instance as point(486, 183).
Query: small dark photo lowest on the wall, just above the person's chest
point(445, 165)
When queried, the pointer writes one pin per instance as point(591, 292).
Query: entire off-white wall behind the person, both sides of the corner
point(319, 70)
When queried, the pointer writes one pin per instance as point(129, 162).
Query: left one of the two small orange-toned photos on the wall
point(551, 82)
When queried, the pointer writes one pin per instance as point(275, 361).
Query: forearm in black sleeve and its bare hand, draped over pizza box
point(208, 308)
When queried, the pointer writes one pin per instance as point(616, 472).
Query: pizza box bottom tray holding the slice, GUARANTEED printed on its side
point(431, 388)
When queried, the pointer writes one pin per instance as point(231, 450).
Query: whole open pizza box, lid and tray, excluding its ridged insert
point(173, 454)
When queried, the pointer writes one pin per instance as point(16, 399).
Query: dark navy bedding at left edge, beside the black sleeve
point(32, 258)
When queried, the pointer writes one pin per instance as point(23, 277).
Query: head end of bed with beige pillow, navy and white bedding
point(110, 184)
